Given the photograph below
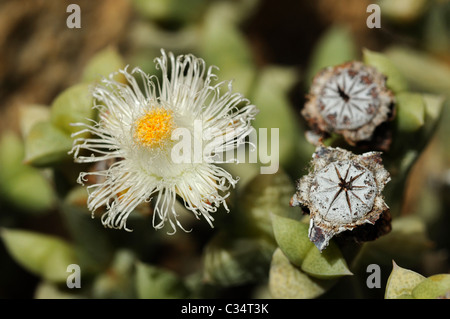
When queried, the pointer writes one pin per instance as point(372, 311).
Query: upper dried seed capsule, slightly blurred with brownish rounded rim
point(349, 99)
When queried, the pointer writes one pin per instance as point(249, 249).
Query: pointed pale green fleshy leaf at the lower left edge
point(44, 255)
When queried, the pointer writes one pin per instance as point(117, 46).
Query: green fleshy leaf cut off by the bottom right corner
point(436, 286)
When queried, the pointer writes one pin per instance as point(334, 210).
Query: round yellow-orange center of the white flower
point(154, 128)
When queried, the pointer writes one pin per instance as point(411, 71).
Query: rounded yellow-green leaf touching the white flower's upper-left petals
point(73, 105)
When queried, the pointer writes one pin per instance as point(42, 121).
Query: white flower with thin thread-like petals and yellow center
point(135, 132)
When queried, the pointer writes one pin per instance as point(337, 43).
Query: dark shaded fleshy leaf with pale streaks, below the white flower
point(231, 261)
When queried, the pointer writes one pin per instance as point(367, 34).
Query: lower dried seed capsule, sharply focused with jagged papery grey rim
point(341, 192)
